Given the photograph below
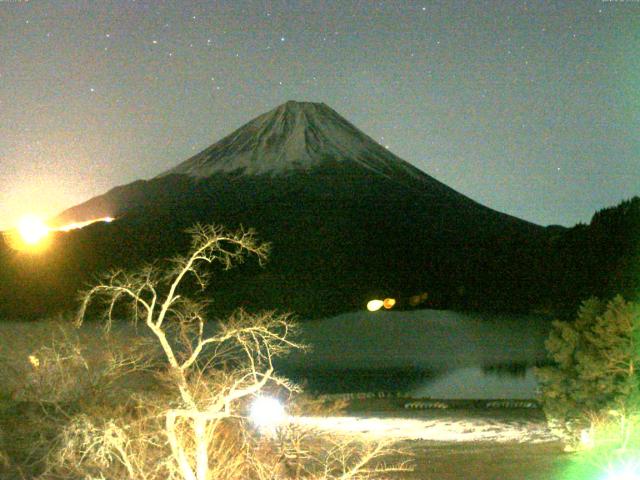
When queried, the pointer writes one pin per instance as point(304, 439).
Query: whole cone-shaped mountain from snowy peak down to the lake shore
point(347, 219)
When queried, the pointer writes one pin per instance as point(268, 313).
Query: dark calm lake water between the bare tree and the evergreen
point(426, 353)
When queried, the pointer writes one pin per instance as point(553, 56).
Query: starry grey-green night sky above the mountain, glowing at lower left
point(531, 108)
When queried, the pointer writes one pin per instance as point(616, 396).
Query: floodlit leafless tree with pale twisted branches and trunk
point(178, 324)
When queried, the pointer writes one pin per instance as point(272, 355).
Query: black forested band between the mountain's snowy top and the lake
point(327, 259)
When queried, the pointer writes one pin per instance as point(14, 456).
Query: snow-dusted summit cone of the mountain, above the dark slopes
point(292, 136)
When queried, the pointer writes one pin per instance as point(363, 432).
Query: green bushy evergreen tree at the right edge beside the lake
point(595, 366)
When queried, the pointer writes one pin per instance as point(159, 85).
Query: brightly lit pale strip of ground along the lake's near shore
point(446, 429)
